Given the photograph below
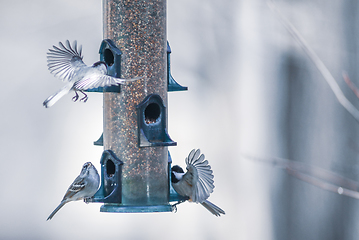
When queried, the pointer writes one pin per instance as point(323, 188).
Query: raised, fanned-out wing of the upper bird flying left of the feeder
point(65, 61)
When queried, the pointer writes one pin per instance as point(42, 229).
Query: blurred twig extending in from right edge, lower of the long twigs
point(316, 176)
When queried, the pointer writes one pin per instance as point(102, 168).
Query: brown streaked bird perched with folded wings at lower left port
point(84, 186)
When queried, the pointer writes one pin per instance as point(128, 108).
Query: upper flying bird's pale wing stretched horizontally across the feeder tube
point(100, 80)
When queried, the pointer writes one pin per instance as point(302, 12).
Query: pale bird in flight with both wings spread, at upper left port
point(66, 63)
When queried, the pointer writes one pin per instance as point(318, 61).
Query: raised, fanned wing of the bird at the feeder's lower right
point(200, 176)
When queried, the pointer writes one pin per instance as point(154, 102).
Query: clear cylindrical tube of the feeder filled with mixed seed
point(138, 28)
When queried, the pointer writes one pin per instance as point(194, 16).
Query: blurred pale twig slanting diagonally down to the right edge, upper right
point(317, 62)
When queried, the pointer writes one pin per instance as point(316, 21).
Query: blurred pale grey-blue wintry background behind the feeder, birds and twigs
point(251, 90)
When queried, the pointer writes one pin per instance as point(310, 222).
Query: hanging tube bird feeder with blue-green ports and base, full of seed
point(135, 164)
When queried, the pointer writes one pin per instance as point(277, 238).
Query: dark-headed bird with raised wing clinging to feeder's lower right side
point(197, 182)
